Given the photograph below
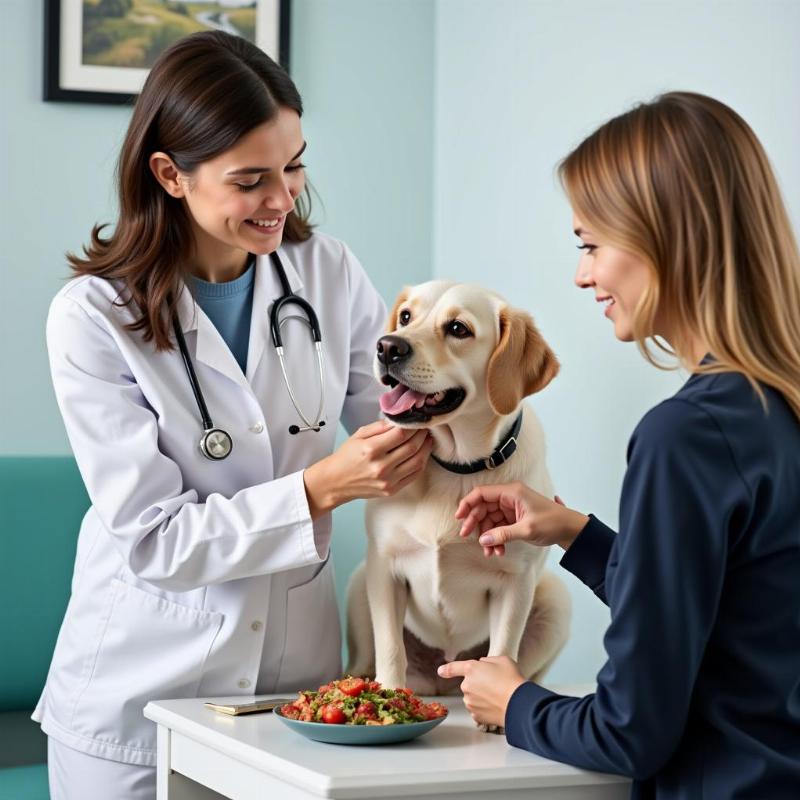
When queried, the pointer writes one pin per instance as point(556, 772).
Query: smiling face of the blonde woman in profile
point(618, 278)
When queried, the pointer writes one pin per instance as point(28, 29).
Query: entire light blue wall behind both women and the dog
point(433, 131)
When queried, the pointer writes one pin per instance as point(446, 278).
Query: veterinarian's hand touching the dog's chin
point(376, 461)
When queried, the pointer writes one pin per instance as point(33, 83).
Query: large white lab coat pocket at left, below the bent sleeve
point(152, 648)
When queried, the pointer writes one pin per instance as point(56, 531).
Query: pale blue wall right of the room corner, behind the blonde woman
point(517, 88)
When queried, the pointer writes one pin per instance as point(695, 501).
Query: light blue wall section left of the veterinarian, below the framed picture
point(56, 162)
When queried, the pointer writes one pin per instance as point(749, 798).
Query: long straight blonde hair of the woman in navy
point(684, 183)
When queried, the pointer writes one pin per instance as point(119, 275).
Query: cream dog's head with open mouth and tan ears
point(453, 349)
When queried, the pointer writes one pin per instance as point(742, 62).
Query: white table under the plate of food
point(256, 757)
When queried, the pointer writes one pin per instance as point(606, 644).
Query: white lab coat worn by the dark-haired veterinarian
point(193, 577)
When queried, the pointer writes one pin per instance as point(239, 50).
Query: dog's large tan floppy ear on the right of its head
point(521, 364)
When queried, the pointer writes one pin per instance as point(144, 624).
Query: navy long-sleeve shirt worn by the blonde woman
point(700, 695)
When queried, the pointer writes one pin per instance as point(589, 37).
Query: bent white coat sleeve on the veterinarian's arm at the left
point(162, 532)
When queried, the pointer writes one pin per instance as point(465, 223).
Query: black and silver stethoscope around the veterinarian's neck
point(216, 443)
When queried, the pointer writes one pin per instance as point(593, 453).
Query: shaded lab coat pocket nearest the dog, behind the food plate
point(312, 652)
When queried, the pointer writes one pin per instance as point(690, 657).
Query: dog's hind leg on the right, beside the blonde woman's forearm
point(547, 628)
